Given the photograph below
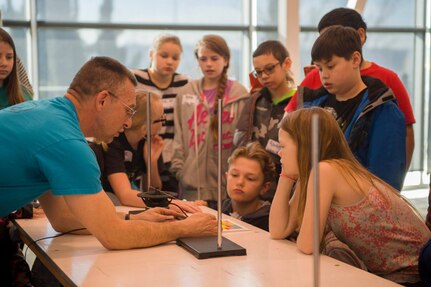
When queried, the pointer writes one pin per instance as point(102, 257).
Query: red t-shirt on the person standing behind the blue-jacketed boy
point(388, 77)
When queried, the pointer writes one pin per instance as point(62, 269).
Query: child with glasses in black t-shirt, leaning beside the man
point(123, 162)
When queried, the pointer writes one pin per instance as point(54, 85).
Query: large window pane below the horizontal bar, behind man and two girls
point(63, 51)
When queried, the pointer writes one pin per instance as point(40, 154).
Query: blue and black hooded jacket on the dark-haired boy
point(377, 132)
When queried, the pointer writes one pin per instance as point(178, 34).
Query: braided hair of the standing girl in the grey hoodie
point(218, 45)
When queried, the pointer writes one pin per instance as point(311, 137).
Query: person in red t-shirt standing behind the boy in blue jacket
point(351, 18)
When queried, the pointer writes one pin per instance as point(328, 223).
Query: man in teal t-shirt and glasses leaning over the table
point(44, 155)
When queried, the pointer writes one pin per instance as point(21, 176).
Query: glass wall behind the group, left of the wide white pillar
point(69, 32)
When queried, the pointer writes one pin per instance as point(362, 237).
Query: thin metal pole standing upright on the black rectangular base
point(219, 173)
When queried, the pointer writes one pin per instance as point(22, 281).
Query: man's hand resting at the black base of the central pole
point(201, 224)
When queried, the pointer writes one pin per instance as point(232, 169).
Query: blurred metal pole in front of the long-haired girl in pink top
point(316, 220)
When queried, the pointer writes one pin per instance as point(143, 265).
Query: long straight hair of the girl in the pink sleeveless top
point(333, 148)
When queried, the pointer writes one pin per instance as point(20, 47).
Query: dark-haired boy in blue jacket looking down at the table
point(364, 107)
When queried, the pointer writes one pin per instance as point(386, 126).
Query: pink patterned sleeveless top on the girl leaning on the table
point(384, 233)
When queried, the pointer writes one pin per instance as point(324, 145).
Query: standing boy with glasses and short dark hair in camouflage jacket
point(265, 109)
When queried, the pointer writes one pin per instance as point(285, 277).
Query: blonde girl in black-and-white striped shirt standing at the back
point(161, 77)
